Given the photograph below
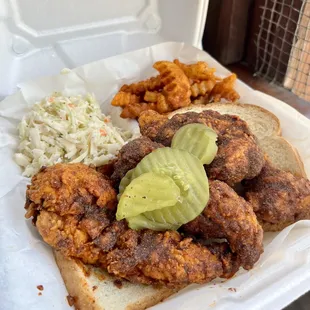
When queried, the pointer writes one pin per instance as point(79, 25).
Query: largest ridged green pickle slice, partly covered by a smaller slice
point(188, 173)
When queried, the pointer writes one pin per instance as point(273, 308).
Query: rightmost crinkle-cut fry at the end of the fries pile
point(225, 89)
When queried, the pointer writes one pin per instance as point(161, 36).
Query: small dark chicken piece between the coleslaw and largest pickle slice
point(130, 155)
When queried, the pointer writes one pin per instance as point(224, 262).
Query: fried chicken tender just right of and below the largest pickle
point(229, 216)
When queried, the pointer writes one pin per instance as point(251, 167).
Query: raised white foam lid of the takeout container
point(40, 37)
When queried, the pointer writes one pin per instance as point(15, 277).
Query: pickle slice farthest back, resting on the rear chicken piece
point(197, 139)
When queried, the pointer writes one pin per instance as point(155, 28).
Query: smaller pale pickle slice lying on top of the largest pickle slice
point(150, 191)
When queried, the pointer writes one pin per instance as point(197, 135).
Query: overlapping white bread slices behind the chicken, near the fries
point(266, 127)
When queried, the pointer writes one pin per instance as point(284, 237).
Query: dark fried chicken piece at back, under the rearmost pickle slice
point(239, 157)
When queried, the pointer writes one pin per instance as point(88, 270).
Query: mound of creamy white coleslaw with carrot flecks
point(67, 129)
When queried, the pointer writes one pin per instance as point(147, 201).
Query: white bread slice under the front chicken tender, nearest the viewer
point(93, 289)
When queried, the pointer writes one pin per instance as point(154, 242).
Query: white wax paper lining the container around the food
point(283, 271)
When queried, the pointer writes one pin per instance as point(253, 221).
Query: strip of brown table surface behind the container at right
point(276, 91)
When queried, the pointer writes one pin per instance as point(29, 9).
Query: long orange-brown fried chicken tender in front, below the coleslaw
point(74, 210)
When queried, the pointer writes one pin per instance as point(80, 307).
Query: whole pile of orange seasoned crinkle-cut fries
point(177, 85)
